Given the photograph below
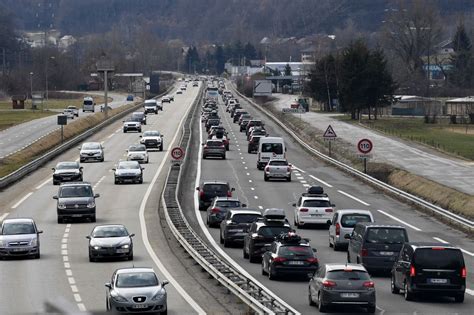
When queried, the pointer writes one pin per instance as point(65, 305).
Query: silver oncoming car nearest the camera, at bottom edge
point(136, 290)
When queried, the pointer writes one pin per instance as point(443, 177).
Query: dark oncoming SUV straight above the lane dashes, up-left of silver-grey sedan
point(76, 200)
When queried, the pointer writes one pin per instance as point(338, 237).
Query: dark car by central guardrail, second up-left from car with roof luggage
point(236, 224)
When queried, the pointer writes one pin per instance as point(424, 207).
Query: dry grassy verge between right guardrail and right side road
point(443, 196)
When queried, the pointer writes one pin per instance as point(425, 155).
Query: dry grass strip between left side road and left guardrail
point(35, 150)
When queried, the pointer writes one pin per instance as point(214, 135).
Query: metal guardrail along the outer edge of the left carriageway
point(26, 169)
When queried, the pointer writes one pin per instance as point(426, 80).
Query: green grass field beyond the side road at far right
point(452, 139)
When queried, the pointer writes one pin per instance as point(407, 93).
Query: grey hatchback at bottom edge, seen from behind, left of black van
point(342, 284)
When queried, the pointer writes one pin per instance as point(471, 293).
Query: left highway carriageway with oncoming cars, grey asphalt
point(64, 271)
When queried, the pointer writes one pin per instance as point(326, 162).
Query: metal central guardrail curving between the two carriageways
point(254, 295)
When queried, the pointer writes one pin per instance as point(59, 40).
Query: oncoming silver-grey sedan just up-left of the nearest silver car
point(112, 240)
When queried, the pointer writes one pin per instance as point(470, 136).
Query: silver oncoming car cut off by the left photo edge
point(19, 237)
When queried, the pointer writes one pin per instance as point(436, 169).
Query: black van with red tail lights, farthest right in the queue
point(432, 268)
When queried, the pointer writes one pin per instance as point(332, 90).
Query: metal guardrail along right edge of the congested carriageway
point(446, 214)
